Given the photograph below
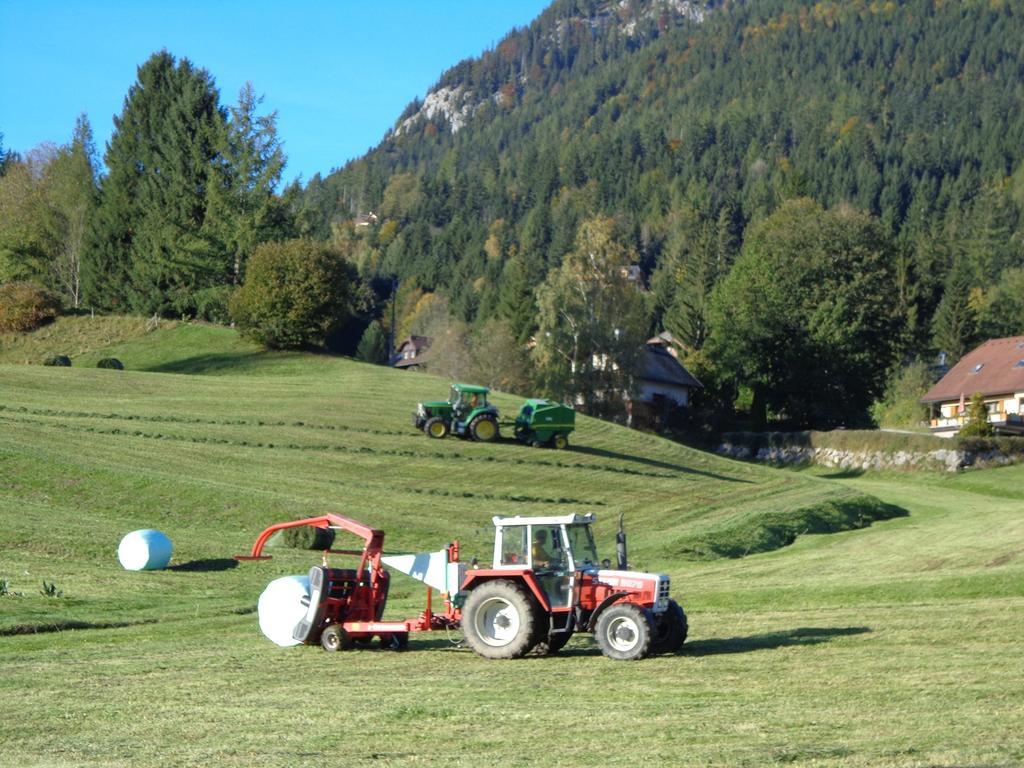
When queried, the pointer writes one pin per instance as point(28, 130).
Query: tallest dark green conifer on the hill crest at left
point(152, 248)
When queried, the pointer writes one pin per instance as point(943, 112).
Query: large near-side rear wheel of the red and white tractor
point(499, 620)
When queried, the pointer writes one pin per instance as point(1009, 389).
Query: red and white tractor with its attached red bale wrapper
point(545, 585)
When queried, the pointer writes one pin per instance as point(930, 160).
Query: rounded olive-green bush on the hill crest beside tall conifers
point(296, 294)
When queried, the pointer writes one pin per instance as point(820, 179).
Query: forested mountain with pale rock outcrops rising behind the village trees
point(689, 122)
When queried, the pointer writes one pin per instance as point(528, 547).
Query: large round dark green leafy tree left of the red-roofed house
point(807, 317)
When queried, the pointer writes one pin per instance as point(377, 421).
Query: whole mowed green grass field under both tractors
point(893, 645)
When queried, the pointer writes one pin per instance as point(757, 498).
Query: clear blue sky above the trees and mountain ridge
point(337, 73)
